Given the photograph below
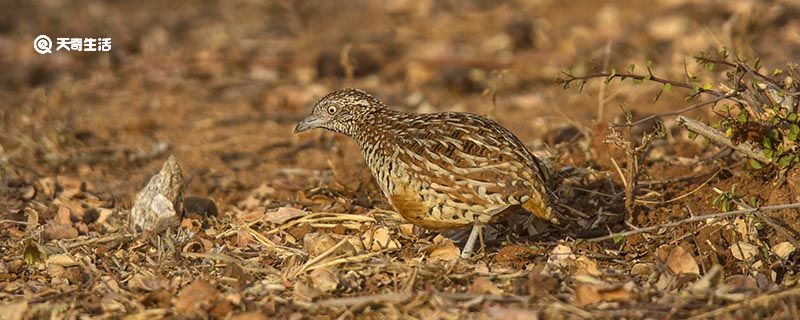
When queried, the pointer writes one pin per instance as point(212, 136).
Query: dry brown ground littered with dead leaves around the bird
point(300, 230)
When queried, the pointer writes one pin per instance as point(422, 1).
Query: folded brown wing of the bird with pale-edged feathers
point(473, 160)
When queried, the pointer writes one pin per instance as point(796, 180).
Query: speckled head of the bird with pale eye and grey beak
point(341, 111)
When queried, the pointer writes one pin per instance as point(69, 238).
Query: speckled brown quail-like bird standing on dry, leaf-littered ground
point(439, 171)
